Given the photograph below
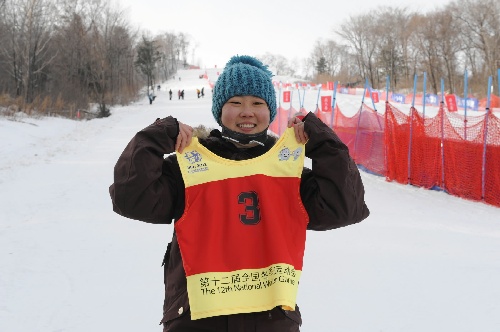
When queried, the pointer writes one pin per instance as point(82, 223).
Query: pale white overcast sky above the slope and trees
point(220, 29)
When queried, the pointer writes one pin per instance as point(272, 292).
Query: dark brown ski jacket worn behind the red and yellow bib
point(149, 187)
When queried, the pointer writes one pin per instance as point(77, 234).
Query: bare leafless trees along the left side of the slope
point(65, 55)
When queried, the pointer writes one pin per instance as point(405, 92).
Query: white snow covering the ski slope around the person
point(424, 261)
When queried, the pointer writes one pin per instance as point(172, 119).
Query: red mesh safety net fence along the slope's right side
point(451, 152)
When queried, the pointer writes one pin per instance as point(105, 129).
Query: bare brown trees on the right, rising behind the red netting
point(463, 35)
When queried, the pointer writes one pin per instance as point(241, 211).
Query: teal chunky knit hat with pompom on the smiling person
point(243, 76)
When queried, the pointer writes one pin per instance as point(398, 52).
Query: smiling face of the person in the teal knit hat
point(246, 114)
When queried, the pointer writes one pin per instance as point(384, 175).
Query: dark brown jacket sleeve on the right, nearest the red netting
point(332, 192)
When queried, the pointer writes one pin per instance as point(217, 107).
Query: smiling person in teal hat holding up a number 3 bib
point(241, 201)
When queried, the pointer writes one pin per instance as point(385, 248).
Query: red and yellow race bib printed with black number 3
point(243, 231)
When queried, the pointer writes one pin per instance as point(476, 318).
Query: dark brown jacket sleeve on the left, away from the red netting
point(146, 186)
